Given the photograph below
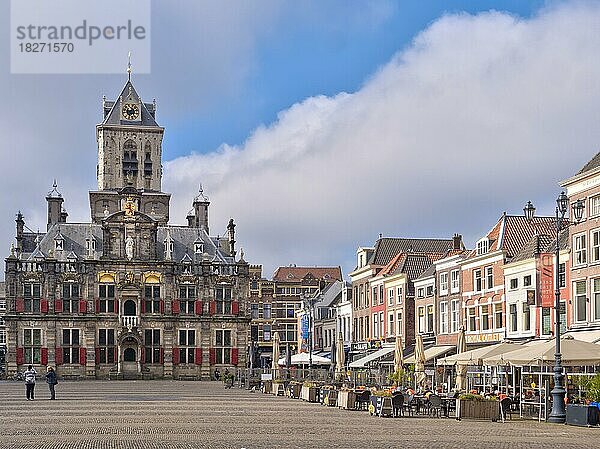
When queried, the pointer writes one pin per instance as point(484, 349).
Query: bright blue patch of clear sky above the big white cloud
point(330, 53)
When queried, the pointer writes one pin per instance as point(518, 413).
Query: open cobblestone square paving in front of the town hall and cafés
point(175, 414)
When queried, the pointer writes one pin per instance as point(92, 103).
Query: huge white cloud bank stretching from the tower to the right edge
point(480, 114)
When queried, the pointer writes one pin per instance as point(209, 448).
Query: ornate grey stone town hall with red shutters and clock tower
point(127, 295)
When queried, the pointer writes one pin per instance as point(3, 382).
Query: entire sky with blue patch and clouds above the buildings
point(319, 125)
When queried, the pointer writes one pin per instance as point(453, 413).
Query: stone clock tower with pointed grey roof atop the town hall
point(129, 157)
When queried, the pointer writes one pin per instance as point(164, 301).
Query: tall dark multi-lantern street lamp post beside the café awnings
point(558, 414)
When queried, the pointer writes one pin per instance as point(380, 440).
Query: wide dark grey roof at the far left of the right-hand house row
point(386, 248)
